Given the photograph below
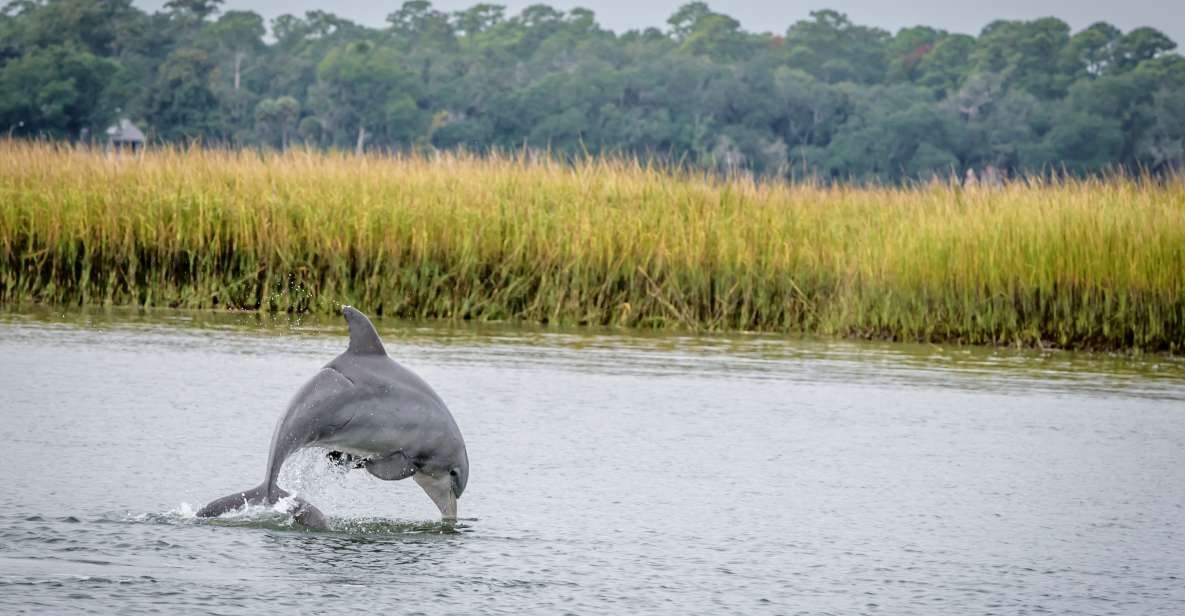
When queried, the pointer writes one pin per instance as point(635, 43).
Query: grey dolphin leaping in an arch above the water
point(374, 414)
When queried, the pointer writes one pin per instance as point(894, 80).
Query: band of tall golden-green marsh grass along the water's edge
point(1078, 264)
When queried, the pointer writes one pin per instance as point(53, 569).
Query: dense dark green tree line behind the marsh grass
point(825, 98)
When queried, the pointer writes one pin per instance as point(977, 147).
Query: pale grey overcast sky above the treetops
point(773, 16)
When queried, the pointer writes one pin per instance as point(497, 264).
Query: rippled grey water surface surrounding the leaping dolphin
point(611, 473)
